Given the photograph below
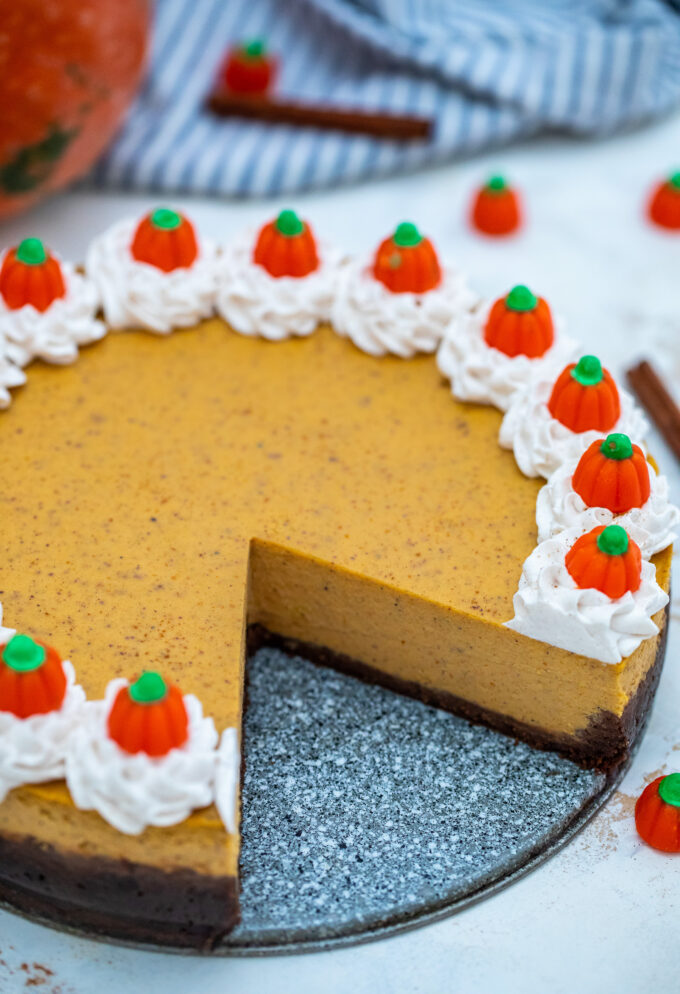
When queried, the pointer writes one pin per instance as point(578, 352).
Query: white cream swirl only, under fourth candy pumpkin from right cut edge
point(481, 374)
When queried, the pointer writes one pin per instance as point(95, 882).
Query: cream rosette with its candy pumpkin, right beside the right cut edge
point(590, 594)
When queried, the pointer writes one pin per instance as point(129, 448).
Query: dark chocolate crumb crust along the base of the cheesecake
point(183, 909)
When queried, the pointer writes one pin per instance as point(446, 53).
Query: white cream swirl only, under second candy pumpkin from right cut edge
point(652, 526)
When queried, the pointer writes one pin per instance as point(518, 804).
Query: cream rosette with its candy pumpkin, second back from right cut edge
point(612, 483)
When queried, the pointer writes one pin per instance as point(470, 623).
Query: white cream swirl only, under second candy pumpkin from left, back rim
point(137, 295)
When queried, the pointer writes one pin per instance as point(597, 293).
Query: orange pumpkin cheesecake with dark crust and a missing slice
point(169, 501)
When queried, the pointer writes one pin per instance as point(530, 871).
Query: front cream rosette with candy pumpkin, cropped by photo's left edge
point(40, 706)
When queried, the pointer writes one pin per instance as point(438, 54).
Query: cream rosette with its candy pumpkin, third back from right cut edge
point(548, 423)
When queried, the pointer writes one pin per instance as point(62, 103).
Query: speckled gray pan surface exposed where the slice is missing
point(364, 811)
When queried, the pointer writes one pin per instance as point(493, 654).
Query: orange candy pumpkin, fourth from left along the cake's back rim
point(406, 262)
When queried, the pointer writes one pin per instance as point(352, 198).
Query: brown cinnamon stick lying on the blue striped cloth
point(395, 126)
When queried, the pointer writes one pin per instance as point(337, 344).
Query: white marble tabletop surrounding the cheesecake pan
point(602, 915)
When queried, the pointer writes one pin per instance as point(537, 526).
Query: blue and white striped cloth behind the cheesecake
point(487, 71)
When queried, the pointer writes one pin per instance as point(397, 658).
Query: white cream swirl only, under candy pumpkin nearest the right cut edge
point(549, 607)
